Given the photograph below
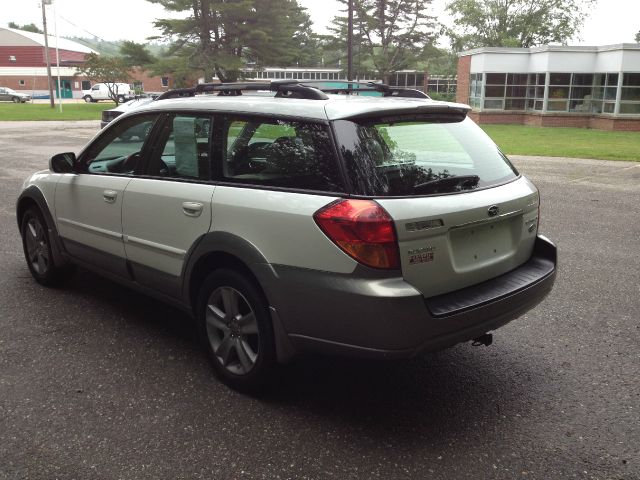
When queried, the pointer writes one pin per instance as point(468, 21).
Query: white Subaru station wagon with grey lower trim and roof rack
point(298, 221)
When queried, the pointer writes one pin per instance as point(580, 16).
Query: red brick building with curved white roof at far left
point(23, 66)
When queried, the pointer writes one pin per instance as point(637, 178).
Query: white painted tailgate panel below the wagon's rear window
point(451, 242)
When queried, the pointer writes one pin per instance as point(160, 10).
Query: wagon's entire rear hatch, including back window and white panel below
point(462, 213)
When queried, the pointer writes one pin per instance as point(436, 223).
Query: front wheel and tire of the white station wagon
point(36, 244)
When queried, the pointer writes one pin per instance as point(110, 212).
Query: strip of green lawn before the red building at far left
point(41, 111)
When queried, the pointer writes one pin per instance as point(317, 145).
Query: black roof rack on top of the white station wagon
point(312, 90)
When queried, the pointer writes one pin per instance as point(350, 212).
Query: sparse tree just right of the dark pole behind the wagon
point(392, 33)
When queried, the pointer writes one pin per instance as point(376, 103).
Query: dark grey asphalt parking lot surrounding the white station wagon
point(98, 382)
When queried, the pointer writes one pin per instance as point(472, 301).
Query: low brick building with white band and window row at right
point(589, 87)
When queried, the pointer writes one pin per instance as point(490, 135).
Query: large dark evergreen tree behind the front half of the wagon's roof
point(219, 37)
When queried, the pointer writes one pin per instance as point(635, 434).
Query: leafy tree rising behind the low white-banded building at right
point(515, 23)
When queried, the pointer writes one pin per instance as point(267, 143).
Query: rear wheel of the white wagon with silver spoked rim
point(235, 328)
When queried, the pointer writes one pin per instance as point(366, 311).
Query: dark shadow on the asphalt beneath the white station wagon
point(450, 392)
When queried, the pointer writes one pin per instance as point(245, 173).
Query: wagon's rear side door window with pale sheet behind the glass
point(186, 148)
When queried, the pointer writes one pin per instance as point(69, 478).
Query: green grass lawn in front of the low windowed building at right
point(566, 142)
